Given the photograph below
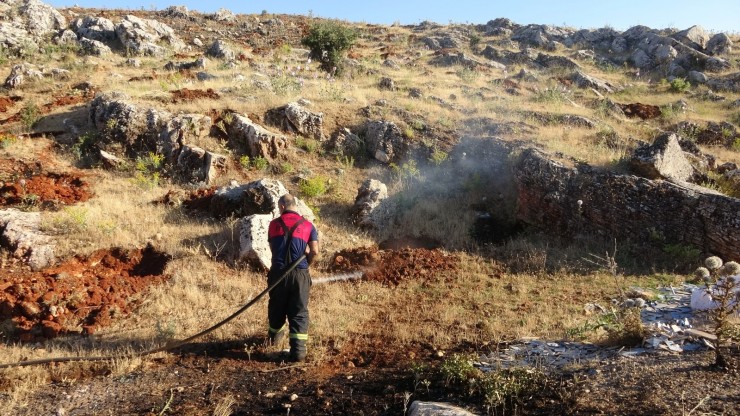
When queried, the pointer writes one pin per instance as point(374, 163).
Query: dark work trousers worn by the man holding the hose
point(290, 299)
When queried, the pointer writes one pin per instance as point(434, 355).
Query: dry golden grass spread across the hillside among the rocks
point(523, 288)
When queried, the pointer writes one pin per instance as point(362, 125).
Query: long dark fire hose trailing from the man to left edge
point(168, 346)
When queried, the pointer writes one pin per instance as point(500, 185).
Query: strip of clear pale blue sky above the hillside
point(713, 15)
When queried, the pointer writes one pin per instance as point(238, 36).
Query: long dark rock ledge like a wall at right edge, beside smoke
point(624, 206)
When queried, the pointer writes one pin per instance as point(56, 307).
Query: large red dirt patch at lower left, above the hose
point(79, 295)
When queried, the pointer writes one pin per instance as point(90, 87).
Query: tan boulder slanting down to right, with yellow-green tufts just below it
point(258, 141)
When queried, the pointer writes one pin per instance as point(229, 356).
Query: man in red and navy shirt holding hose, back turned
point(290, 236)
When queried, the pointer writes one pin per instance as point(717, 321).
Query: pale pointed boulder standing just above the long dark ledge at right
point(664, 159)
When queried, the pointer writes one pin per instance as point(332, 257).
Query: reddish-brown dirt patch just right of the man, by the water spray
point(393, 266)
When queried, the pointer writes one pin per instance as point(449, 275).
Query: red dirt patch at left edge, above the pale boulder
point(25, 184)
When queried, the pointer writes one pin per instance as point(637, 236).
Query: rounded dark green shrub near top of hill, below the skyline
point(328, 41)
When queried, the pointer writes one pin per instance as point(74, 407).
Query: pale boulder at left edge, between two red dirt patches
point(22, 236)
